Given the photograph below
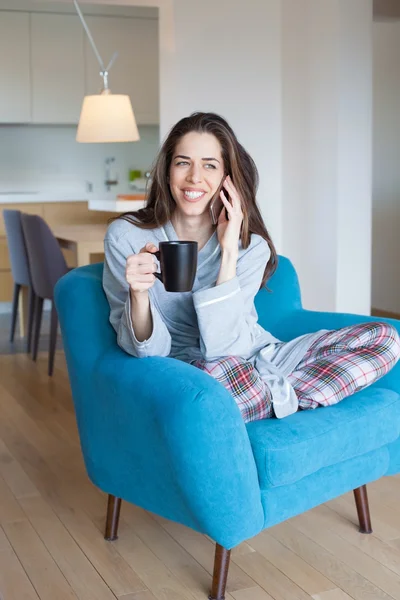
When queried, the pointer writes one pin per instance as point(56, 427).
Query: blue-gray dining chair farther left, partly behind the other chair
point(19, 270)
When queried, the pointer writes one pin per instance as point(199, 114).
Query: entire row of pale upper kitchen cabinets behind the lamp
point(48, 65)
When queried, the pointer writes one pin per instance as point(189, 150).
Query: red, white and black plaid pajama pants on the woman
point(338, 364)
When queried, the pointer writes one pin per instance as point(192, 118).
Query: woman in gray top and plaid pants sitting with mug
point(214, 327)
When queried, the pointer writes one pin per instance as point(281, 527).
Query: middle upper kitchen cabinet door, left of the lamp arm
point(58, 77)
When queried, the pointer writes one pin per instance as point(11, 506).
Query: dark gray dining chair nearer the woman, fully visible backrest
point(47, 264)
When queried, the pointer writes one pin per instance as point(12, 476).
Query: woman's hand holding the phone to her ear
point(228, 230)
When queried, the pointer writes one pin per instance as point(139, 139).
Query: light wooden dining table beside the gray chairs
point(83, 240)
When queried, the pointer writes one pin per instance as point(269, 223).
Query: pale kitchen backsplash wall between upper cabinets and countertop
point(50, 156)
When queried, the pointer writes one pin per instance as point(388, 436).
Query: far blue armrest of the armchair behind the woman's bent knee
point(303, 321)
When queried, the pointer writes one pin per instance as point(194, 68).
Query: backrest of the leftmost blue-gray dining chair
point(17, 247)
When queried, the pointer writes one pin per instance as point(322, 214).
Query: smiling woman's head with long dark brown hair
point(189, 170)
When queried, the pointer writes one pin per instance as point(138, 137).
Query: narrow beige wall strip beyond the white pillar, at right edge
point(386, 172)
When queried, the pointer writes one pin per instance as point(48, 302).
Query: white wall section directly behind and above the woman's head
point(225, 66)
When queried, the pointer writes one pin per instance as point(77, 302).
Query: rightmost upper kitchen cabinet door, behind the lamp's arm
point(135, 71)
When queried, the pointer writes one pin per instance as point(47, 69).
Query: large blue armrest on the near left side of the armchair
point(166, 436)
